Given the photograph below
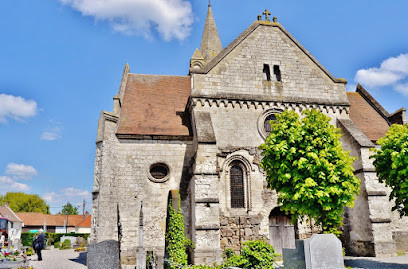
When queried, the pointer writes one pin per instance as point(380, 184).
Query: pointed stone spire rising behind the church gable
point(210, 43)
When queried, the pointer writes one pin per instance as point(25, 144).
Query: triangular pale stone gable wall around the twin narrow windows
point(240, 74)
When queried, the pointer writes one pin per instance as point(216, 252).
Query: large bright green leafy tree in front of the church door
point(306, 165)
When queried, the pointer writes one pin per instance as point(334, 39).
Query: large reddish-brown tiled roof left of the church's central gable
point(155, 105)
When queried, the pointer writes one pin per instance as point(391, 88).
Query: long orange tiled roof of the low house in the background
point(37, 219)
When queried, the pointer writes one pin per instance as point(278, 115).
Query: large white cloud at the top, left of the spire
point(170, 18)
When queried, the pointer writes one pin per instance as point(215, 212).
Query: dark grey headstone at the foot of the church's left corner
point(104, 255)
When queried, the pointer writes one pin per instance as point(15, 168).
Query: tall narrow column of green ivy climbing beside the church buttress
point(176, 240)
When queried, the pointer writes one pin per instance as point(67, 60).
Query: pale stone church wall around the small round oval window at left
point(122, 184)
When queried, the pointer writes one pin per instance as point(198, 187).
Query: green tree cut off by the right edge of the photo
point(391, 164)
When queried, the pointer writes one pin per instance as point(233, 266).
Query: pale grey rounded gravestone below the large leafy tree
point(323, 251)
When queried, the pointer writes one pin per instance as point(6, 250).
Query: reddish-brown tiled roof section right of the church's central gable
point(368, 119)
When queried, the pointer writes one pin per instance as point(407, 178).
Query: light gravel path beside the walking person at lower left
point(61, 259)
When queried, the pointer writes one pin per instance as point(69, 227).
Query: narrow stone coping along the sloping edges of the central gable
point(245, 34)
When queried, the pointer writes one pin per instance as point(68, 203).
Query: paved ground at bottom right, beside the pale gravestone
point(398, 262)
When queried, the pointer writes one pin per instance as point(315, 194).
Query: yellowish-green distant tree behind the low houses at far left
point(23, 202)
